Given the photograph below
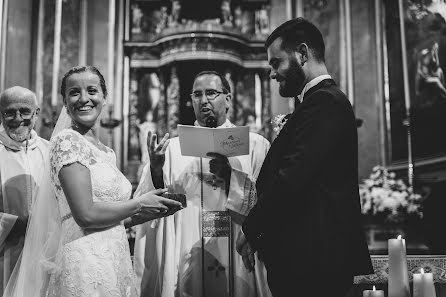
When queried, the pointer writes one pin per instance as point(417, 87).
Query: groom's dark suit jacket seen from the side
point(308, 209)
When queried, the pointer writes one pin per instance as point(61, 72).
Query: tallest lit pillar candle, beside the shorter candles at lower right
point(398, 275)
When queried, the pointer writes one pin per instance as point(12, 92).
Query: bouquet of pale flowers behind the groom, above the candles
point(382, 195)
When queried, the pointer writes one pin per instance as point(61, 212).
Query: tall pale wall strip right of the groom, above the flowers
point(366, 86)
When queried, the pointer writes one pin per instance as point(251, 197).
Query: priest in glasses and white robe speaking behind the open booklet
point(192, 253)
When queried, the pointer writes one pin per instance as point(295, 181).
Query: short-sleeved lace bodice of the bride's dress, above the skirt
point(108, 183)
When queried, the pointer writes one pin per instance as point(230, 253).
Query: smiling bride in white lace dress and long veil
point(76, 244)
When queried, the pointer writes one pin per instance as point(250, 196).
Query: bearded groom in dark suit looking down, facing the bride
point(306, 225)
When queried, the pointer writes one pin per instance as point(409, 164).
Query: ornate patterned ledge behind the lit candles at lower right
point(434, 264)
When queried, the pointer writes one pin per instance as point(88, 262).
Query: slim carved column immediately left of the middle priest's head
point(173, 103)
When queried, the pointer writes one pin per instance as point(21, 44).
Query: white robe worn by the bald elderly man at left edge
point(21, 167)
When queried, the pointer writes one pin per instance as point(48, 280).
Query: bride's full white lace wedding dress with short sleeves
point(91, 262)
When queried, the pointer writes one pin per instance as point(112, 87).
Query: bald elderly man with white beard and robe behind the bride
point(22, 155)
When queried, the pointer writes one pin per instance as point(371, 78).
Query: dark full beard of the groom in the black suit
point(293, 80)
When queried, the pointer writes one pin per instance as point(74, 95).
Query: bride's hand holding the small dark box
point(152, 203)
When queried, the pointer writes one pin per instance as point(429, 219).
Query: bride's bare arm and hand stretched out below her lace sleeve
point(75, 180)
